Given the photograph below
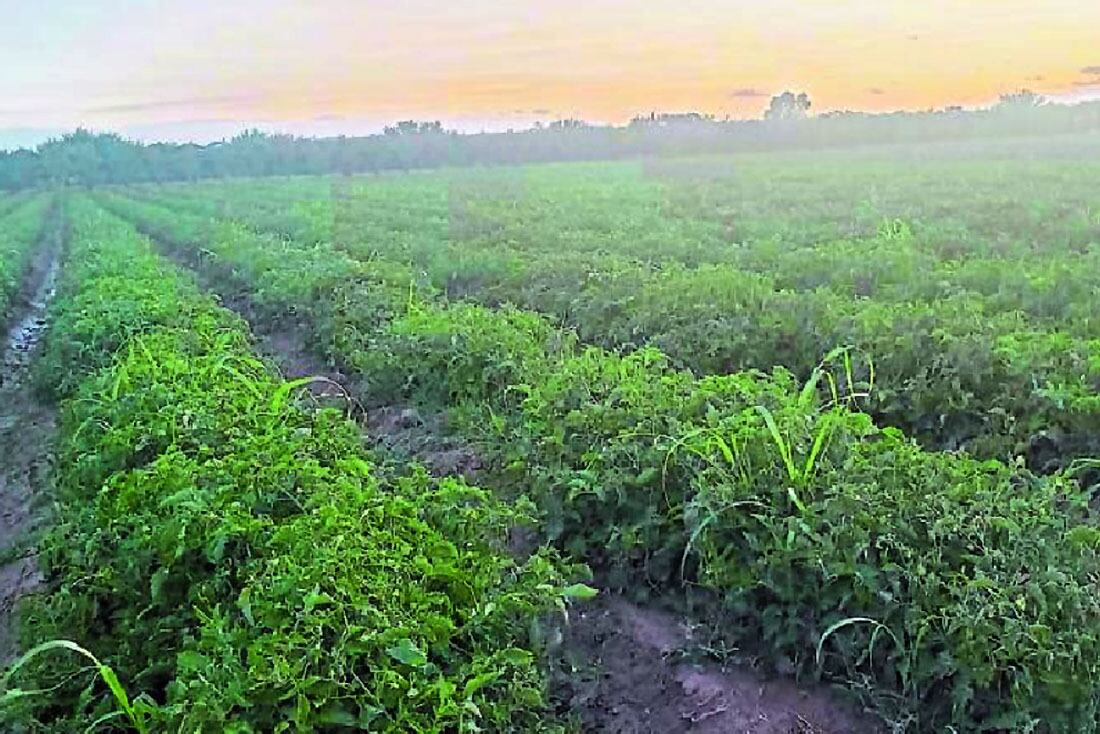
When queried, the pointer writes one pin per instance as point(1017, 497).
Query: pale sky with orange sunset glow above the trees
point(203, 70)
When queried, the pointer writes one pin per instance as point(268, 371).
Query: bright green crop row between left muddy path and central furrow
point(229, 561)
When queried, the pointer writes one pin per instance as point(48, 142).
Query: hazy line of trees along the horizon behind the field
point(87, 159)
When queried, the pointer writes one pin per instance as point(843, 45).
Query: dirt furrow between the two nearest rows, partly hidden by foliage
point(631, 675)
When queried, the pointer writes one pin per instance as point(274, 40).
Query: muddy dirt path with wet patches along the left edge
point(27, 430)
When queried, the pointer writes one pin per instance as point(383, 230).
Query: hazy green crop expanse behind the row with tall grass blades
point(730, 265)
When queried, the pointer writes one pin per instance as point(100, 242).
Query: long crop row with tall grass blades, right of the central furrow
point(951, 593)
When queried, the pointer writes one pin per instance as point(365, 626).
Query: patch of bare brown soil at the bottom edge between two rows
point(634, 674)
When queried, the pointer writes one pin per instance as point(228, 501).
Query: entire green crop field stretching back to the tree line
point(841, 409)
